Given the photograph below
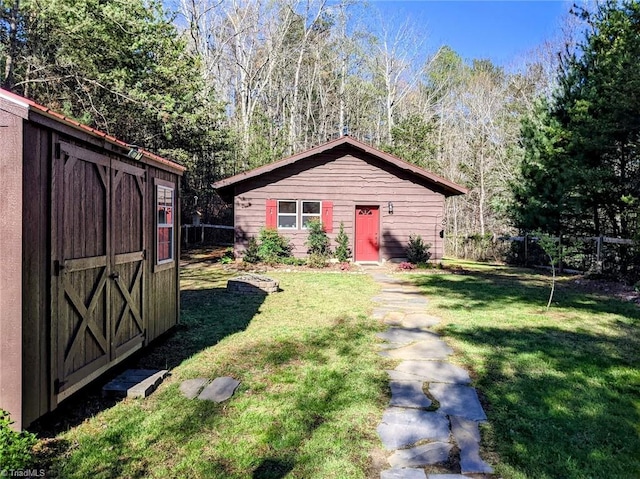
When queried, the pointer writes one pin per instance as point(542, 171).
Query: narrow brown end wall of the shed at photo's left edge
point(11, 170)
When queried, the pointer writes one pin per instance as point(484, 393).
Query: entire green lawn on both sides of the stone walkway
point(561, 388)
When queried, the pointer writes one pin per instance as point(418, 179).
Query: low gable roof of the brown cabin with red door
point(450, 188)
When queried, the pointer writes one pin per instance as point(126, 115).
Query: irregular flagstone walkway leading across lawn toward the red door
point(421, 430)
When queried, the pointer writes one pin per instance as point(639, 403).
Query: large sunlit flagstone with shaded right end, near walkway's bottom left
point(403, 427)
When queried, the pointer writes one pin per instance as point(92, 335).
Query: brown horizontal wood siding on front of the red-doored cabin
point(347, 181)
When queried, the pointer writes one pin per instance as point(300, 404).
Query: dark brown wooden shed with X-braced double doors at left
point(89, 254)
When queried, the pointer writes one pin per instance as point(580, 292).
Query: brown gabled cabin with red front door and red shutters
point(380, 198)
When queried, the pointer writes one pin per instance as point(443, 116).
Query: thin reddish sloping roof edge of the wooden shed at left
point(32, 106)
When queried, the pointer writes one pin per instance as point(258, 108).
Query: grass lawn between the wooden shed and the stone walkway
point(312, 389)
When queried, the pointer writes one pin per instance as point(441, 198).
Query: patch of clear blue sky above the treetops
point(498, 30)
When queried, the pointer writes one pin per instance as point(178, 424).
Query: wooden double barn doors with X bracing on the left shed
point(98, 269)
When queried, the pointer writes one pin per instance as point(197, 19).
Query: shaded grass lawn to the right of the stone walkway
point(561, 388)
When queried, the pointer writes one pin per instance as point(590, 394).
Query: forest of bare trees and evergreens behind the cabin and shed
point(223, 86)
